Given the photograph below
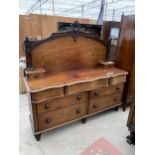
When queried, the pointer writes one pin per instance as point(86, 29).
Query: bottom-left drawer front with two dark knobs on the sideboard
point(54, 118)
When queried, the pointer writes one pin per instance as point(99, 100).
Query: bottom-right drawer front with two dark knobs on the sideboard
point(104, 102)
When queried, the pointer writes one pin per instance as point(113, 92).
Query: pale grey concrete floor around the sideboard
point(72, 139)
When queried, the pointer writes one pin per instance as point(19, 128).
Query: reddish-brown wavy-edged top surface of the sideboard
point(72, 77)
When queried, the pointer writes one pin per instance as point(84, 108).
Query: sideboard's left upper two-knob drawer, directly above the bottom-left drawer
point(58, 103)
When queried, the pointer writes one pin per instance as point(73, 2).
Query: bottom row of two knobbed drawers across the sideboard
point(56, 117)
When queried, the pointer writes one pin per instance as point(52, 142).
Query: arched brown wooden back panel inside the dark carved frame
point(64, 54)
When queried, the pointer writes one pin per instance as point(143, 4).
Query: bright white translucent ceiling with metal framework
point(113, 9)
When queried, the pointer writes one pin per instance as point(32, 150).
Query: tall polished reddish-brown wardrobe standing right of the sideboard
point(126, 55)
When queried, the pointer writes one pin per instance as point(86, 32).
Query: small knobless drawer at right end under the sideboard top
point(117, 80)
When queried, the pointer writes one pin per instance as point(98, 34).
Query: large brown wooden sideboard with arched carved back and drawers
point(69, 82)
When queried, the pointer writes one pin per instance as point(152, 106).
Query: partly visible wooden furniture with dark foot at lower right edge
point(131, 124)
